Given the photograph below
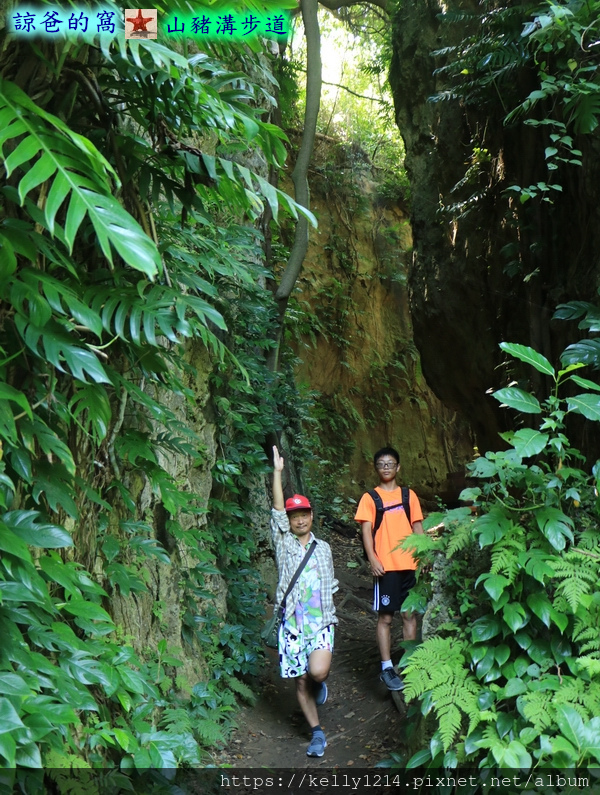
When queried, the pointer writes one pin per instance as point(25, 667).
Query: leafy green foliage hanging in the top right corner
point(540, 63)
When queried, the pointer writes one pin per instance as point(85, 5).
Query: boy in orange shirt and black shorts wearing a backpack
point(393, 568)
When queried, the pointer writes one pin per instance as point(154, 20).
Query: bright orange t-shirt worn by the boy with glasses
point(394, 528)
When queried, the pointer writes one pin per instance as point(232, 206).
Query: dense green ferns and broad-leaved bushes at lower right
point(512, 678)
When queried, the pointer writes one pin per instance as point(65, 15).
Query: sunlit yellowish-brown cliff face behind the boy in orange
point(358, 351)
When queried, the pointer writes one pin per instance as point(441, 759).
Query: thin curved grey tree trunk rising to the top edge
point(309, 10)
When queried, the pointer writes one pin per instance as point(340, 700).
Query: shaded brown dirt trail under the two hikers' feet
point(361, 721)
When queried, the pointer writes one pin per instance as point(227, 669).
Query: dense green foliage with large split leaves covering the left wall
point(128, 253)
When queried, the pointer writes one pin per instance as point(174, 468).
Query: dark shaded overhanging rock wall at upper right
point(484, 269)
